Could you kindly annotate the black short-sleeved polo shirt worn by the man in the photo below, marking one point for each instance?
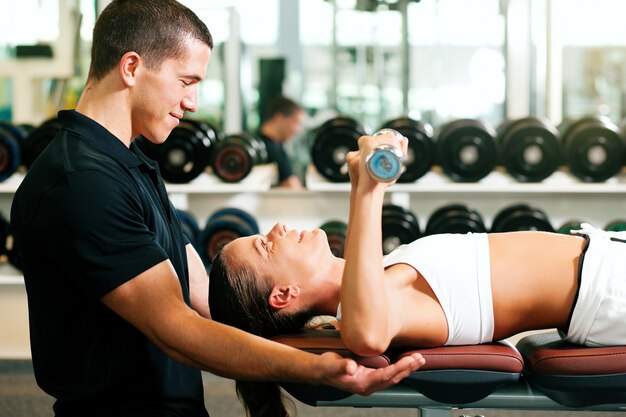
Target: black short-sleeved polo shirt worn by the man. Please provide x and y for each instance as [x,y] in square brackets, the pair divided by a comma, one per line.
[90,215]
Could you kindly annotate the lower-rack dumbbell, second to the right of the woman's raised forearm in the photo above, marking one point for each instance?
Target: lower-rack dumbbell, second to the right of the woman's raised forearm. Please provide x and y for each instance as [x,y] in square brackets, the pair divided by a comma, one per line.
[455,218]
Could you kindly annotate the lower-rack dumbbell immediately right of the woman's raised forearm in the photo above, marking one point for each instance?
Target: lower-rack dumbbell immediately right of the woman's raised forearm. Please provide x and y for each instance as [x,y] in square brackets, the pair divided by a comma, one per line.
[399,226]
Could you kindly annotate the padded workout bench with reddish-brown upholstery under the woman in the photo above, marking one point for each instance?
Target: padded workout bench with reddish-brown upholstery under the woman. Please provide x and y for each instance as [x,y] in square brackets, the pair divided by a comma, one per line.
[540,372]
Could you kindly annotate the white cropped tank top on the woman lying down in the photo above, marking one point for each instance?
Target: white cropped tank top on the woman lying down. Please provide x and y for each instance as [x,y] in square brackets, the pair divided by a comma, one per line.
[456,266]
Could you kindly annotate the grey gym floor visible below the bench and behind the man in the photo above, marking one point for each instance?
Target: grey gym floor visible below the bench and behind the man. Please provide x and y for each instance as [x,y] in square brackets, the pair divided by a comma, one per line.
[21,397]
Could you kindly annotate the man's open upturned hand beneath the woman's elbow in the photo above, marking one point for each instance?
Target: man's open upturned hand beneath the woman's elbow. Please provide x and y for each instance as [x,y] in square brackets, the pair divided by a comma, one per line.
[347,375]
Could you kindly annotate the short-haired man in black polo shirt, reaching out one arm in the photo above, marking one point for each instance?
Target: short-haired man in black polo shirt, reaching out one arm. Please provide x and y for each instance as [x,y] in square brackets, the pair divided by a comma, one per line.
[117,296]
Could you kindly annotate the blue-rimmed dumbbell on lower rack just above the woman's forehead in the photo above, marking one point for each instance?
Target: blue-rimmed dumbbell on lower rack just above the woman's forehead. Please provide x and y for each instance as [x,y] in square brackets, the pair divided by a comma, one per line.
[222,227]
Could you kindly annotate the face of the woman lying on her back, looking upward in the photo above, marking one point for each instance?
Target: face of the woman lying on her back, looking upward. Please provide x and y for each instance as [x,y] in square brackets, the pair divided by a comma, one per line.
[284,255]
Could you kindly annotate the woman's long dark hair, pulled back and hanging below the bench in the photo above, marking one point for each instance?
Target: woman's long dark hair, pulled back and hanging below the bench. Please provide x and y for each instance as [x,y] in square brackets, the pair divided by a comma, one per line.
[237,297]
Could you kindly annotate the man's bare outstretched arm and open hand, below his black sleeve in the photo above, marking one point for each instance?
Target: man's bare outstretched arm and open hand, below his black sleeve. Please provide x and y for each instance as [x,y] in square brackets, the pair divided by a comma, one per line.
[152,302]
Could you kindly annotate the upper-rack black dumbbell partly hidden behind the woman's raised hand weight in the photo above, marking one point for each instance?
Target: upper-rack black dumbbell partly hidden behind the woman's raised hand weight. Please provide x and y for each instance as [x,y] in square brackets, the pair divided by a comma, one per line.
[421,150]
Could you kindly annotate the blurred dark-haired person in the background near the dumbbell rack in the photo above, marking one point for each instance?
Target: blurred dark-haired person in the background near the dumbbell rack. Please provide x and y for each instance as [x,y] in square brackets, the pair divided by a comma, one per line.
[282,122]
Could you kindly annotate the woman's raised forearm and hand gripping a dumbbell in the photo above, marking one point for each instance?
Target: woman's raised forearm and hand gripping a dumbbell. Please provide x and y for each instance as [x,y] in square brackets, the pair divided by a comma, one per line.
[365,314]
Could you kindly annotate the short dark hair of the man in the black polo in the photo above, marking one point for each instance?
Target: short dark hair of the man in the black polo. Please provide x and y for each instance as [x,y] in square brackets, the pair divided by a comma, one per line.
[155,29]
